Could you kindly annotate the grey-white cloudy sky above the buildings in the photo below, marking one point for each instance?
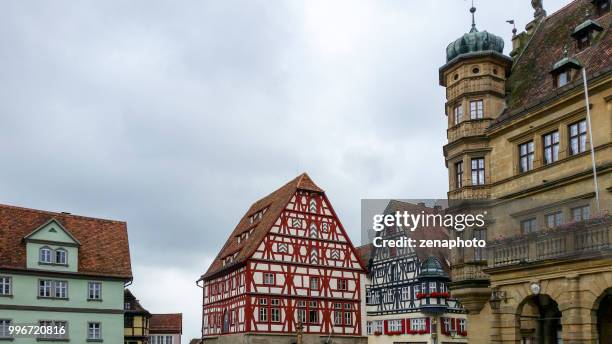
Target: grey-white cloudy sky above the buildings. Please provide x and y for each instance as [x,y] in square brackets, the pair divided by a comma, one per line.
[175,116]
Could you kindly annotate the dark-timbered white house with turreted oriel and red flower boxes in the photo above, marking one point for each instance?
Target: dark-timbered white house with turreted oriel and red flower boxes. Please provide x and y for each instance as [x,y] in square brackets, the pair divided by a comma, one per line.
[407,294]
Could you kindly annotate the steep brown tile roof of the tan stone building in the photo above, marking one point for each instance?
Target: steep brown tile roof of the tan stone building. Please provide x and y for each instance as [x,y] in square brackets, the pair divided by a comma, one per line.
[531,83]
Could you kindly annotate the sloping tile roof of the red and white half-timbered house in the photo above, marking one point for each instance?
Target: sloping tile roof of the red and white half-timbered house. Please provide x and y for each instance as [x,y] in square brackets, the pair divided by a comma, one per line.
[274,203]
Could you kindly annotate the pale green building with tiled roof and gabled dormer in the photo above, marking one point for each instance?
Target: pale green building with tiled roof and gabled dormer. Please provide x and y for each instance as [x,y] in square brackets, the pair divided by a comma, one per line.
[63,272]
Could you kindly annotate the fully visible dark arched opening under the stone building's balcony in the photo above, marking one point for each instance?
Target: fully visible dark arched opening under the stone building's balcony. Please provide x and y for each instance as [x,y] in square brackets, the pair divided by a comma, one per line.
[539,320]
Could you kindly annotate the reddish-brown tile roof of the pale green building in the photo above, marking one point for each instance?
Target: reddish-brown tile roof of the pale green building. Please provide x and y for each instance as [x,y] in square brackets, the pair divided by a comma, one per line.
[103,250]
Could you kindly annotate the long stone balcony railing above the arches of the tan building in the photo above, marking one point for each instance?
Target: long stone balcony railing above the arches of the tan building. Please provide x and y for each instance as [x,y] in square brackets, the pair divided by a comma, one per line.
[572,241]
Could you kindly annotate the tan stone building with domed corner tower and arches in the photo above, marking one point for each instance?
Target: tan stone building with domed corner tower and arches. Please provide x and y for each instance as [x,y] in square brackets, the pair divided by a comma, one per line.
[519,147]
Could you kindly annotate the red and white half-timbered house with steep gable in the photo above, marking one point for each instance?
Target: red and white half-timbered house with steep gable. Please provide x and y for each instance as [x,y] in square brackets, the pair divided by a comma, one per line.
[288,261]
